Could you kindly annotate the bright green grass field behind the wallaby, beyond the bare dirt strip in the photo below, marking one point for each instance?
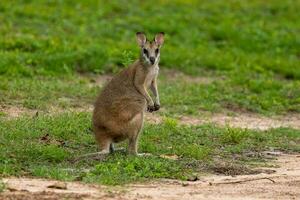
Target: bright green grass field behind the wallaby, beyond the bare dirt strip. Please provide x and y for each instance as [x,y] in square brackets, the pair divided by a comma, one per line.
[251,47]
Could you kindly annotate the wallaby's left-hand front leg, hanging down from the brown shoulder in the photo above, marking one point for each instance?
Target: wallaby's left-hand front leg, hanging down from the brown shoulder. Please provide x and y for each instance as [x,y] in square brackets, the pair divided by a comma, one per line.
[139,83]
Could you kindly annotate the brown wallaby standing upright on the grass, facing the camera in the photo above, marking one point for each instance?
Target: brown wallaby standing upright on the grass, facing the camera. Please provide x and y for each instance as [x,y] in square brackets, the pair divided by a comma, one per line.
[119,109]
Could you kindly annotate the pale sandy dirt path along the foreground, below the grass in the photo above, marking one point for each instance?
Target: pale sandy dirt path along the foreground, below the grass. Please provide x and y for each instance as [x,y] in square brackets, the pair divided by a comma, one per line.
[282,184]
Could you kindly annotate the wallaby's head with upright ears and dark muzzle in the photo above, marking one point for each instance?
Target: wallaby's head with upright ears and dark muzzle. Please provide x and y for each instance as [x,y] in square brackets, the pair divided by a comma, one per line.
[150,50]
